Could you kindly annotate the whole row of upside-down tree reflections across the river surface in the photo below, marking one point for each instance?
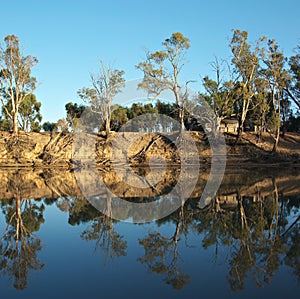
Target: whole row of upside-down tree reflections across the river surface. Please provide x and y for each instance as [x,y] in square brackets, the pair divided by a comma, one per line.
[258,231]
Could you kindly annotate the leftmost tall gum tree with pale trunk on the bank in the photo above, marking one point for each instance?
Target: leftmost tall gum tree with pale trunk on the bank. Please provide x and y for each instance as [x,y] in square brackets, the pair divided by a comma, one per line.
[16,81]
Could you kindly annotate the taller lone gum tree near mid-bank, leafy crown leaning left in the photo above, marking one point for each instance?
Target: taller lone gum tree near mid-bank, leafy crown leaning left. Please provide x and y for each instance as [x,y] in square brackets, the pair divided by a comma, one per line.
[162,68]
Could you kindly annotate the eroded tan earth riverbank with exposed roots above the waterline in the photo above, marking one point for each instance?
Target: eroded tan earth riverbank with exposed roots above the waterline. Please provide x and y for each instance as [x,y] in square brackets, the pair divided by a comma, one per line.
[42,150]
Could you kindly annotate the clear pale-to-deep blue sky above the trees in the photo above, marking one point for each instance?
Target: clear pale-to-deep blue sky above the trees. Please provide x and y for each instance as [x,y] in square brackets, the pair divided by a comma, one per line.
[70,37]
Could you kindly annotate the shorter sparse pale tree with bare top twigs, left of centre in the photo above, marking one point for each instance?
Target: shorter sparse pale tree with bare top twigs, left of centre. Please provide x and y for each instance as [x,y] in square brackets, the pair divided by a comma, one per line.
[105,86]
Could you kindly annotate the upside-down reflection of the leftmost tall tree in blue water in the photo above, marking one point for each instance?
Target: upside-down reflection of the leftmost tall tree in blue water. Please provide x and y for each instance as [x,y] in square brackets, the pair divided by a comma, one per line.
[18,246]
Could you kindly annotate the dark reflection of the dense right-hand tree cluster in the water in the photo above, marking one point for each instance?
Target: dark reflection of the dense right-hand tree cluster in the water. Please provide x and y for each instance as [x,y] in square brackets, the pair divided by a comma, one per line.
[256,233]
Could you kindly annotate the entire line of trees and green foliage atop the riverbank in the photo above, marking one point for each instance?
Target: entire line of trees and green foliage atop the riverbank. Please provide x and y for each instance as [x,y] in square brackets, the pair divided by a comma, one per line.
[251,91]
